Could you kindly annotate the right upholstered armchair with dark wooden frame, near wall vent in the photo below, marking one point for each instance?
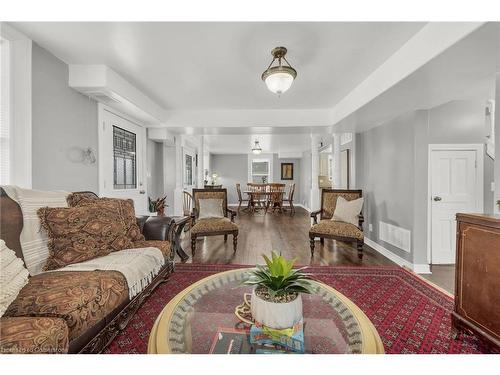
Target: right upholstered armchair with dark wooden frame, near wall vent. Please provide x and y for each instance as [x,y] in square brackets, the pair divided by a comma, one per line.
[337,230]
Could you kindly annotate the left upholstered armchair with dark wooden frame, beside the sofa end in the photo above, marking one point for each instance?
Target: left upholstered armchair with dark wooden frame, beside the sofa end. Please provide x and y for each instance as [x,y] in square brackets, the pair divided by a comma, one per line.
[213,226]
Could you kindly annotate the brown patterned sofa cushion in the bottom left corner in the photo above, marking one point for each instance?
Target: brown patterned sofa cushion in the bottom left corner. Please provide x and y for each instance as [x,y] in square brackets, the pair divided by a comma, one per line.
[36,335]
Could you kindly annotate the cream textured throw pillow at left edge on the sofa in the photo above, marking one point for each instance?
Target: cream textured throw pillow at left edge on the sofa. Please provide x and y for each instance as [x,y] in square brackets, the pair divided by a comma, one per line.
[13,276]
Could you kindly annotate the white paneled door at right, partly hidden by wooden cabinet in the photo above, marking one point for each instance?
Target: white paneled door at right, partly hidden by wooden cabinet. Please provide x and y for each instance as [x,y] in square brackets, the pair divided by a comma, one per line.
[454,187]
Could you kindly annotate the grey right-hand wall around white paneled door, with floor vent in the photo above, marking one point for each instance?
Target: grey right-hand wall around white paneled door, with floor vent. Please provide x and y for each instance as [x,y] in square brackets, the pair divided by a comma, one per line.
[392,167]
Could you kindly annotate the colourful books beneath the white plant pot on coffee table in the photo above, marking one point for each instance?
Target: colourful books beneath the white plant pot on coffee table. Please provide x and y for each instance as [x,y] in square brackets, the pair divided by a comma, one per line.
[269,340]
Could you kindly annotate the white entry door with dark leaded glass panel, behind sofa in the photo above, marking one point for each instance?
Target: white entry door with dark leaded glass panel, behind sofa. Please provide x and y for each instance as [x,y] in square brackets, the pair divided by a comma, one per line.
[122,146]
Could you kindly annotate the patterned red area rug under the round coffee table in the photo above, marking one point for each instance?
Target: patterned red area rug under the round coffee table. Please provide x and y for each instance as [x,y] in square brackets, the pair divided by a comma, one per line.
[410,315]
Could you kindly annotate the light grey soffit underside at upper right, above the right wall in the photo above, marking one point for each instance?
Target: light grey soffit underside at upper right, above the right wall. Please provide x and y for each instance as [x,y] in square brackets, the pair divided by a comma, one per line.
[464,71]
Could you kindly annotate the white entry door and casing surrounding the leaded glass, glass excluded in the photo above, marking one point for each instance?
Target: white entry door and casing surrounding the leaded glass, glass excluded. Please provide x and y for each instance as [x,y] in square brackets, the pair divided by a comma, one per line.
[108,120]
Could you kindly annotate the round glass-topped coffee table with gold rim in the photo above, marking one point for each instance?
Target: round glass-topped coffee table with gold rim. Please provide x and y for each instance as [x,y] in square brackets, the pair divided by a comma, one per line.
[192,320]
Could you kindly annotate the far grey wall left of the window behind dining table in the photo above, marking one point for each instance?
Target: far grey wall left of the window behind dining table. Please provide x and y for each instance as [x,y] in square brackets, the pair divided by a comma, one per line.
[231,169]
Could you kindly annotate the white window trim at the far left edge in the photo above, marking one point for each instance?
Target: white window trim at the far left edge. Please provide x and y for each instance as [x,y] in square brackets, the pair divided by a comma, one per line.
[20,92]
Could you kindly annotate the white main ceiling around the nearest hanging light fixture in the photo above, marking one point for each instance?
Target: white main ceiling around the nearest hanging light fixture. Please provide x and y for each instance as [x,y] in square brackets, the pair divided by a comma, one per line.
[217,65]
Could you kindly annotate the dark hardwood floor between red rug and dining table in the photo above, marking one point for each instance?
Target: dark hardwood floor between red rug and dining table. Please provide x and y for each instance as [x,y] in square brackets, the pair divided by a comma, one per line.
[260,233]
